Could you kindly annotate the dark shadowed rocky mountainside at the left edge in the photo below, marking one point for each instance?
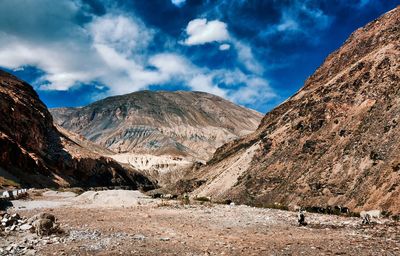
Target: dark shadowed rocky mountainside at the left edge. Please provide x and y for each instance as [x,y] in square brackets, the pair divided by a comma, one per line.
[35,153]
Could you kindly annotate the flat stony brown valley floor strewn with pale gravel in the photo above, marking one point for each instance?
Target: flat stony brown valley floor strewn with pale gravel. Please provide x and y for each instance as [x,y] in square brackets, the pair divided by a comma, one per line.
[156,227]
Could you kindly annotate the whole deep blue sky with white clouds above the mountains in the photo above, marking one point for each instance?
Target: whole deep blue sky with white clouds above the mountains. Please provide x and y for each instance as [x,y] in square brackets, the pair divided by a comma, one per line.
[254,53]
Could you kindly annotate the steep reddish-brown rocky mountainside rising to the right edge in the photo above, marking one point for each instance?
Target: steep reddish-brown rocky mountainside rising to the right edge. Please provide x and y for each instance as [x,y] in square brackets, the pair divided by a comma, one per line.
[335,142]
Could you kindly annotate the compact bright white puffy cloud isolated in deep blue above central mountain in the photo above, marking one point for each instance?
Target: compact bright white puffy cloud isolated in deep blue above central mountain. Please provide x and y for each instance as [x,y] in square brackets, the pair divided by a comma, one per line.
[201,31]
